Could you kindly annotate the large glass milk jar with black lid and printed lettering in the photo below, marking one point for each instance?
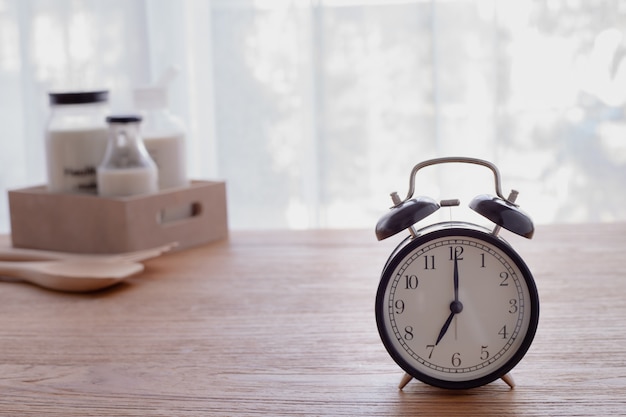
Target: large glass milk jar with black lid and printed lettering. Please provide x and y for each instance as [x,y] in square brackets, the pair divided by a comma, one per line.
[76,140]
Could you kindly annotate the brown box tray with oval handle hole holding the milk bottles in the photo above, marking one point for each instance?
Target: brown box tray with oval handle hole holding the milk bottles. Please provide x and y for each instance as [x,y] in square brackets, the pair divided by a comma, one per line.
[84,223]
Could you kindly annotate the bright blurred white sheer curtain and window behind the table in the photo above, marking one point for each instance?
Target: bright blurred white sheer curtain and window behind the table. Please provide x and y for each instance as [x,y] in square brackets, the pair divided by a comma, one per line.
[314,111]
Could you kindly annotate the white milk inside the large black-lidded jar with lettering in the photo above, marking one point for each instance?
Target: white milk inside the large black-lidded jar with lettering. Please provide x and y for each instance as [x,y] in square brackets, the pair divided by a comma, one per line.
[72,158]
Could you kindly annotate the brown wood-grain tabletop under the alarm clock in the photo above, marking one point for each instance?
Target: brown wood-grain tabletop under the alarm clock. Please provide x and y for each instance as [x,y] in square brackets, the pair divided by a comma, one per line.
[282,323]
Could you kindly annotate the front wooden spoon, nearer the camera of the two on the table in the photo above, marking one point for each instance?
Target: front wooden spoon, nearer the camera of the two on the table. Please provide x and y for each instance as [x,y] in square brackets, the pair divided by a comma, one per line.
[71,275]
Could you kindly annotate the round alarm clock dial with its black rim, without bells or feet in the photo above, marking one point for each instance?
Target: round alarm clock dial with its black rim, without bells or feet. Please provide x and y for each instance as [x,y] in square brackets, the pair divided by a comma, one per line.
[457,307]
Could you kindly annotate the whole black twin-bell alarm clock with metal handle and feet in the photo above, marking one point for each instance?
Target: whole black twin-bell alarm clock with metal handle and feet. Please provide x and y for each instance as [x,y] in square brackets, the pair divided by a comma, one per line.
[456,307]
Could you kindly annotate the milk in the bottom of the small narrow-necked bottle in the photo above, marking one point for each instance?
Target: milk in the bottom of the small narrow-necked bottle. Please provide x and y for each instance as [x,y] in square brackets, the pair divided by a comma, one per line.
[127,181]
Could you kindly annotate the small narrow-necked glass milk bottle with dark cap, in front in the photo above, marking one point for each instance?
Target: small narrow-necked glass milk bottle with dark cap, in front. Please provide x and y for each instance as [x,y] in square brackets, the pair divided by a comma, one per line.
[127,168]
